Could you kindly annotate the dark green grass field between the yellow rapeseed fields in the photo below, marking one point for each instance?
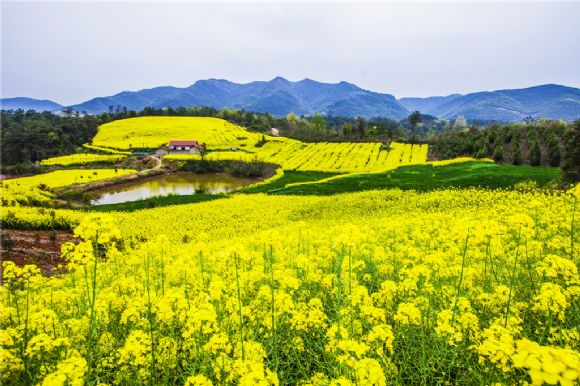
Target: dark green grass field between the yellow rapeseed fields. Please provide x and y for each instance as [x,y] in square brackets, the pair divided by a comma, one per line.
[424,178]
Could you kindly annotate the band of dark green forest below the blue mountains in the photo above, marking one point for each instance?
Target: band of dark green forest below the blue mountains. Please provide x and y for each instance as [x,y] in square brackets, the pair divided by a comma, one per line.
[30,136]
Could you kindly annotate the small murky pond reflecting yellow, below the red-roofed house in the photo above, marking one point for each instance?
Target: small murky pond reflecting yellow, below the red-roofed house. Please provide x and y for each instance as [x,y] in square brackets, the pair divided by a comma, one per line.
[181,184]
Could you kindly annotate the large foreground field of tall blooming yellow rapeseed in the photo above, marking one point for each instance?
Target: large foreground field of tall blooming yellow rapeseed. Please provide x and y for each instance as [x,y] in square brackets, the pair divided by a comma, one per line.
[374,288]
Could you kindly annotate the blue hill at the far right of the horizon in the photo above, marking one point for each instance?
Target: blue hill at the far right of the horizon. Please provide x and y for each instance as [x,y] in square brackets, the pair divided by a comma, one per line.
[546,101]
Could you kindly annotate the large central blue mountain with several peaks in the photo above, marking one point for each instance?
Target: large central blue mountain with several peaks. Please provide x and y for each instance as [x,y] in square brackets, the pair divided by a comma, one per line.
[277,96]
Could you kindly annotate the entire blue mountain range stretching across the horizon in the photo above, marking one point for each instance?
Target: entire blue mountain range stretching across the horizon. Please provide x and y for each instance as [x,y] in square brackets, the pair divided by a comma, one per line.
[306,97]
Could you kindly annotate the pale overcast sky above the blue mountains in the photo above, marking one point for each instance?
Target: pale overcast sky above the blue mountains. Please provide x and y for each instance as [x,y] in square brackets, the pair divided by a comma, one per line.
[72,51]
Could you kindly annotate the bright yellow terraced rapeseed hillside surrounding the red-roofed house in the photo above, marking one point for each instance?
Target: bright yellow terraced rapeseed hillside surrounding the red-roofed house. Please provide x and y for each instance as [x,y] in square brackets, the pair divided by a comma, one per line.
[221,137]
